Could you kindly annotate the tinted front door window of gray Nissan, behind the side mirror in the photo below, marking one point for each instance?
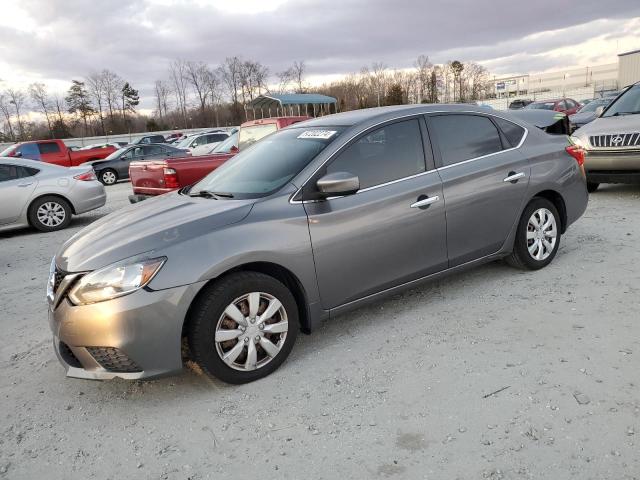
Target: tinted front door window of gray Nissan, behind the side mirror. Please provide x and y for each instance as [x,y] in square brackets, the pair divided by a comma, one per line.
[389,153]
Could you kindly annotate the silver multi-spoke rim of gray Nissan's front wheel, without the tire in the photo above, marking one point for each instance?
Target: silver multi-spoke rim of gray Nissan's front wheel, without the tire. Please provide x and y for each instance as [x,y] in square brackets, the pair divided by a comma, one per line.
[251,331]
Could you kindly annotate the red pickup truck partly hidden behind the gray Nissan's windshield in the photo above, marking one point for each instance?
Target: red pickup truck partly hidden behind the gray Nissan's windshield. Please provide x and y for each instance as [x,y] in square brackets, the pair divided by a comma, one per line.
[149,178]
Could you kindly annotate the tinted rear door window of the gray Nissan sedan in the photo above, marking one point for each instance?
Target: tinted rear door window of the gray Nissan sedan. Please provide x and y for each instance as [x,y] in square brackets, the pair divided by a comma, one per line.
[463,137]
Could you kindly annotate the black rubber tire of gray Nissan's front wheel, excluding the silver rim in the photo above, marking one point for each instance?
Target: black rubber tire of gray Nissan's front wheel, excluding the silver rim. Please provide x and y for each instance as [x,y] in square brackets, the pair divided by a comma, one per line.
[210,305]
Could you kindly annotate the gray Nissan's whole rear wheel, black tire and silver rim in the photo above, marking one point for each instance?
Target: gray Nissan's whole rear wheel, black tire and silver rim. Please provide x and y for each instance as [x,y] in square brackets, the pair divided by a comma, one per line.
[529,237]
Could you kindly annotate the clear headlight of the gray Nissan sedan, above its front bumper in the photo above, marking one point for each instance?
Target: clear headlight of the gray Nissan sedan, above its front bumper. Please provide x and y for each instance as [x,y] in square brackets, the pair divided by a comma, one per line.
[115,280]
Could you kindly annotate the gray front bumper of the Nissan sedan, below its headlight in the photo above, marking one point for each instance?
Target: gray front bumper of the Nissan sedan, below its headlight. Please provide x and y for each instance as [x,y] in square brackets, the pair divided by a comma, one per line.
[132,337]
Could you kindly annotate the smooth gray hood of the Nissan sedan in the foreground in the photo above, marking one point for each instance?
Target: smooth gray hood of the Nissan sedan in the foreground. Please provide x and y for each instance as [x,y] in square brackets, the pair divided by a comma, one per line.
[147,228]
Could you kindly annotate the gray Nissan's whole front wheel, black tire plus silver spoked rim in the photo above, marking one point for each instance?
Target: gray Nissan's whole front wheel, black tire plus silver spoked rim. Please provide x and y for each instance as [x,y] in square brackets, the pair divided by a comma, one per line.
[212,334]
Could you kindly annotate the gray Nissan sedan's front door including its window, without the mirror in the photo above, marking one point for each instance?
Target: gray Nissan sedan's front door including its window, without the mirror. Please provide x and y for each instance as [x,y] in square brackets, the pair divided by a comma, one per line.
[385,234]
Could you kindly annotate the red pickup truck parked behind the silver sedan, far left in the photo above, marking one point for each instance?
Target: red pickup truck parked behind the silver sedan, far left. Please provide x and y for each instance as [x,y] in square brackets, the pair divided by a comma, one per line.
[56,152]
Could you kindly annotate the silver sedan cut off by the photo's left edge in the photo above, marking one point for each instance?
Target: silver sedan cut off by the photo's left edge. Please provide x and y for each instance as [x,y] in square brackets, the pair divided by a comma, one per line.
[45,196]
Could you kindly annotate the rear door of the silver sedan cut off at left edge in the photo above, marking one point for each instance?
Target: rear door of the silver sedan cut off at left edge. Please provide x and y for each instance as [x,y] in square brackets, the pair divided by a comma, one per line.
[17,184]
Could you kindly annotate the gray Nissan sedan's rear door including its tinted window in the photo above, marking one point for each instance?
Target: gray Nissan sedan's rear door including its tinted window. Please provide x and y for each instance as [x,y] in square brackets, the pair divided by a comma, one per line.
[484,178]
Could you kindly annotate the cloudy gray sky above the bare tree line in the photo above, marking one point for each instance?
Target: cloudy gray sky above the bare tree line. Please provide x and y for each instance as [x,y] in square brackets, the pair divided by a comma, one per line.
[57,40]
